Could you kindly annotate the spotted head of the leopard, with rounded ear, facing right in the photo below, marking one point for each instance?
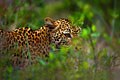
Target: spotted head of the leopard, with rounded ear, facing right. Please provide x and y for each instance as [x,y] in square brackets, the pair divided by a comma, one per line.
[61,30]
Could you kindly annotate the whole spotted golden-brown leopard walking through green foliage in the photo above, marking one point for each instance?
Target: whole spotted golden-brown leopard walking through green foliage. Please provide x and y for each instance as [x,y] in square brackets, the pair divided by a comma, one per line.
[26,45]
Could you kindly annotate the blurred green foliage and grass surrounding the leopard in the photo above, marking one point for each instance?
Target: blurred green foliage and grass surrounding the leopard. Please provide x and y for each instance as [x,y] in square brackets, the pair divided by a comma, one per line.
[94,55]
